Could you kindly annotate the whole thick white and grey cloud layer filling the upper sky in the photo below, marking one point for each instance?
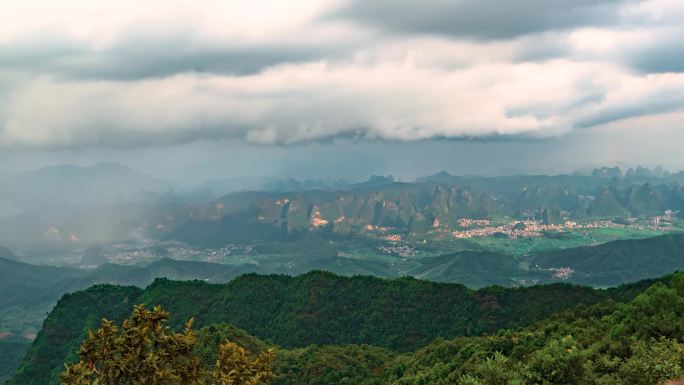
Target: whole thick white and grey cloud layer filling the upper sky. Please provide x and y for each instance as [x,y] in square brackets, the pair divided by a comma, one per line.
[135,73]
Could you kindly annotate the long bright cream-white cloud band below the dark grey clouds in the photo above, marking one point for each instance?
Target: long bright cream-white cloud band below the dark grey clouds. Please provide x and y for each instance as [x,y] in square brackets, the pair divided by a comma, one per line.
[319,101]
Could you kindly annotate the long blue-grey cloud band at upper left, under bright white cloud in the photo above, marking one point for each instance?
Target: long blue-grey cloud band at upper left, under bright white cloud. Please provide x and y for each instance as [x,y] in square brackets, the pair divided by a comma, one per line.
[144,58]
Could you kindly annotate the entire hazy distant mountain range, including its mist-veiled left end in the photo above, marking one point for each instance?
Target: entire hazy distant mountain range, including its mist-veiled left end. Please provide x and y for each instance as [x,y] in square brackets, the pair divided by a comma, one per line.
[69,207]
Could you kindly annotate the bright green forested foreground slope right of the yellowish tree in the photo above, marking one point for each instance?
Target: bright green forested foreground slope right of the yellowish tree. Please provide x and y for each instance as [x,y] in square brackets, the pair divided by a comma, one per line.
[635,343]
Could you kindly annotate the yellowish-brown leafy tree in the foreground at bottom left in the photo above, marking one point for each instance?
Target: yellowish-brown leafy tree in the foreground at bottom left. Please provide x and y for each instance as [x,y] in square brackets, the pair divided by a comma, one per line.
[144,351]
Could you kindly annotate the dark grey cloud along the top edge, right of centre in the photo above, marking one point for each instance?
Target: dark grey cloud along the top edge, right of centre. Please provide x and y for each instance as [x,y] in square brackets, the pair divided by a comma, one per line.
[481,19]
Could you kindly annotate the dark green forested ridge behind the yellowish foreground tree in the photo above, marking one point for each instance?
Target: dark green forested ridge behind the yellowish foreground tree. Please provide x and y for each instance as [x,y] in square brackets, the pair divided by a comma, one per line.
[308,314]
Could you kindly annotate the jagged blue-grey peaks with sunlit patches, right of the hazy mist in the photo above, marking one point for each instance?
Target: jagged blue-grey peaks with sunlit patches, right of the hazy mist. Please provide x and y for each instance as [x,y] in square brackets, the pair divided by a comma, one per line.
[416,208]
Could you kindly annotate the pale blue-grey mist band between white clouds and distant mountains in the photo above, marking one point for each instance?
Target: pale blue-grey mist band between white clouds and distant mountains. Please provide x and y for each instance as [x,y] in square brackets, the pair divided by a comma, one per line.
[186,165]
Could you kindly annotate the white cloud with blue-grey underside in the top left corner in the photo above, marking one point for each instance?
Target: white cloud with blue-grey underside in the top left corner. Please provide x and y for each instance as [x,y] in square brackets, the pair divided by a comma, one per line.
[136,40]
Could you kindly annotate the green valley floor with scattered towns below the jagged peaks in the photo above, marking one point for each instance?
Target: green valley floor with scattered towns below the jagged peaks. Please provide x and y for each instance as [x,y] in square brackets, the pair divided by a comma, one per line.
[375,256]
